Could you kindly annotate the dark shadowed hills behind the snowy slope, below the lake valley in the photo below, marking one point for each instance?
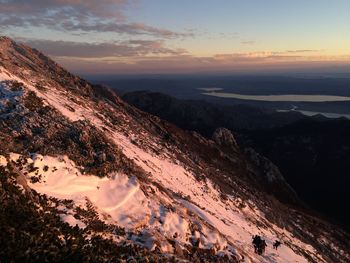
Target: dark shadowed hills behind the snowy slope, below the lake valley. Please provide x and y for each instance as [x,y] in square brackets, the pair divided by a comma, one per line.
[311,152]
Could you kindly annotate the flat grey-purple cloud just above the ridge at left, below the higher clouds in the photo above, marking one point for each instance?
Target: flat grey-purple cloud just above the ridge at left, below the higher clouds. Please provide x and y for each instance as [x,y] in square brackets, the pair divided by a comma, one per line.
[130,48]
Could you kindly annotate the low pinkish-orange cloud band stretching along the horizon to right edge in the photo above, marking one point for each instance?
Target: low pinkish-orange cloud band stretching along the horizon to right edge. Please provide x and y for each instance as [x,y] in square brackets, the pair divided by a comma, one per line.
[221,63]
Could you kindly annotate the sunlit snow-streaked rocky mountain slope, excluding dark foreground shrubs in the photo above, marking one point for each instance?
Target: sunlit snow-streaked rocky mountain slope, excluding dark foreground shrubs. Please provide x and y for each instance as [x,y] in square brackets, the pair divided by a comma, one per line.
[109,166]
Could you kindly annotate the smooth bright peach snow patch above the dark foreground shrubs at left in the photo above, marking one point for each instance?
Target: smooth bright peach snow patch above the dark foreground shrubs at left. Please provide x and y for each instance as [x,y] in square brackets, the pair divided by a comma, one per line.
[118,196]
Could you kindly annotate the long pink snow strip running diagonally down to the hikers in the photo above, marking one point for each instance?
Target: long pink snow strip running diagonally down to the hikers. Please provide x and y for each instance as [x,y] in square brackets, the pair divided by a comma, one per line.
[236,225]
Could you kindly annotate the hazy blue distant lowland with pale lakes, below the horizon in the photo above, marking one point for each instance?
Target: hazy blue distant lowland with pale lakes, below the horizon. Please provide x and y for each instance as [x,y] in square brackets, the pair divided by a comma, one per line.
[328,96]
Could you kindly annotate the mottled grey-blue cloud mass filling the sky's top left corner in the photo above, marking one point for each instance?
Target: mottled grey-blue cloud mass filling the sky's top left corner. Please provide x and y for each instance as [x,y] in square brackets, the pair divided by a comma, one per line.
[77,16]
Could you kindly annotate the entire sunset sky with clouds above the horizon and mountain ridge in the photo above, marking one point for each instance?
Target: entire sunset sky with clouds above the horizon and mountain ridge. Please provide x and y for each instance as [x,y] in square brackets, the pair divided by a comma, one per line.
[107,37]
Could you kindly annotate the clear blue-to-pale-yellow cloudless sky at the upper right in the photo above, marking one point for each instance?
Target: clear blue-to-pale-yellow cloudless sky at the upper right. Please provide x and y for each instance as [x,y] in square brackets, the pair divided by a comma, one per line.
[270,24]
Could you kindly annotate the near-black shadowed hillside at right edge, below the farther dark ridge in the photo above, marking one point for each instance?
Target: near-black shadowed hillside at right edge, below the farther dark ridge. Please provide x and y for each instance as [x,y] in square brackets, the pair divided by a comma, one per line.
[315,161]
